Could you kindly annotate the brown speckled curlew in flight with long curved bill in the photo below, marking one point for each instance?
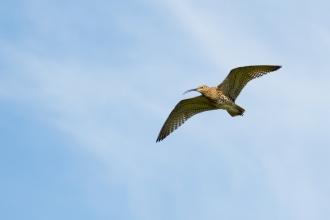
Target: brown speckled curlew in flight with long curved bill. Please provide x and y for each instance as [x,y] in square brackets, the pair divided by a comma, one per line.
[222,96]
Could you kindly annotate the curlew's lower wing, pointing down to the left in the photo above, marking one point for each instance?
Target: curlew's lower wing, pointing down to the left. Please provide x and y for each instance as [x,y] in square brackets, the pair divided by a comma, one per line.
[182,112]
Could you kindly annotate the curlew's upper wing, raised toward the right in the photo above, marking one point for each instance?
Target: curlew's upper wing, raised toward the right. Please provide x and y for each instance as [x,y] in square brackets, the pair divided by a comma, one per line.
[239,77]
